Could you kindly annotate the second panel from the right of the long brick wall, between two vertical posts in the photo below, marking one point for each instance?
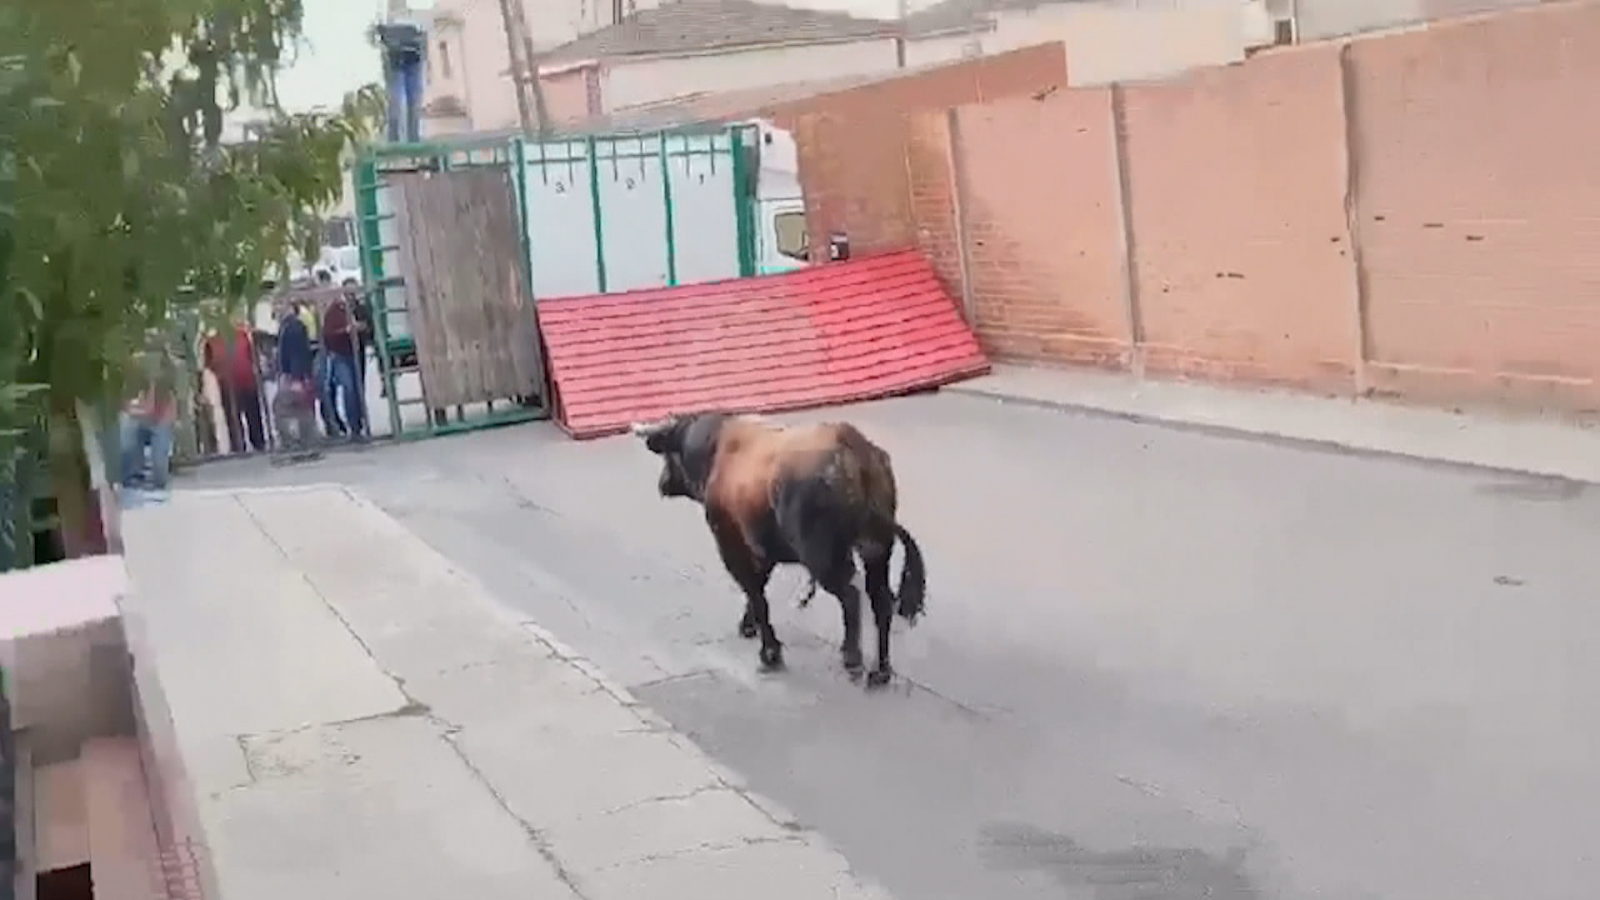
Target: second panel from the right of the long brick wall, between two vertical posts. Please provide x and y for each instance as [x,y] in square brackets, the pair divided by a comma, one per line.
[1241,247]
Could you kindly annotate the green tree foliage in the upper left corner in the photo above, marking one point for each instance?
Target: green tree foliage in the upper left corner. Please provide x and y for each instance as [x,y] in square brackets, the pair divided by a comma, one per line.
[119,195]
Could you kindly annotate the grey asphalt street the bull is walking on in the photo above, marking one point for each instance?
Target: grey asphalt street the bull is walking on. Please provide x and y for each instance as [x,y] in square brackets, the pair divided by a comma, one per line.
[1156,665]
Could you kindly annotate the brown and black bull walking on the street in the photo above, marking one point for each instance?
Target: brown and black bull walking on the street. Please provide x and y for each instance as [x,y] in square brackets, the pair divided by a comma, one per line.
[812,496]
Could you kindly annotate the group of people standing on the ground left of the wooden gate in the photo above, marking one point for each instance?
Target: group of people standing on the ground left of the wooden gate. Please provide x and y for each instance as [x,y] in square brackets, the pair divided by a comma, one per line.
[318,364]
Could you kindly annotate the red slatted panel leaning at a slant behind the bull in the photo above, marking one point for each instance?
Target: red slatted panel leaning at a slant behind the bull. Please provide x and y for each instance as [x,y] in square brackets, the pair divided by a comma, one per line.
[870,327]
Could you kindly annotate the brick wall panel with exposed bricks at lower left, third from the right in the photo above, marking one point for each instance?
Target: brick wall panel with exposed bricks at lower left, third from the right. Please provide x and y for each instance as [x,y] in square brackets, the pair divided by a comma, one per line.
[1044,228]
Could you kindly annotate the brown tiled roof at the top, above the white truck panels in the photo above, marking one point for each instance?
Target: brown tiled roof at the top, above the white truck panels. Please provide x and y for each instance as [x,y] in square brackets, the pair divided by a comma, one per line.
[695,26]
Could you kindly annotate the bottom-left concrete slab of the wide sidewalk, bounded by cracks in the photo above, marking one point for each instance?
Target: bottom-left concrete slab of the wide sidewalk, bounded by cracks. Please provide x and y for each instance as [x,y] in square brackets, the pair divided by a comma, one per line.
[370,810]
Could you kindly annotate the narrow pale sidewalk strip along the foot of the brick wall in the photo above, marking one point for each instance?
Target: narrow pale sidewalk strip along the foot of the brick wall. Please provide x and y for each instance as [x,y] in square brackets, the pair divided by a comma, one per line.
[1542,448]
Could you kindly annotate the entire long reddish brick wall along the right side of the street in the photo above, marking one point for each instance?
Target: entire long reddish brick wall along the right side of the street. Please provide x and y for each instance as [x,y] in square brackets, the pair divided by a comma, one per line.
[1407,214]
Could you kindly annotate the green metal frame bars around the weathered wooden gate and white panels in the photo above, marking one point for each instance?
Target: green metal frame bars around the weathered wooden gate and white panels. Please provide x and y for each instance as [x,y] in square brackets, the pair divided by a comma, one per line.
[514,153]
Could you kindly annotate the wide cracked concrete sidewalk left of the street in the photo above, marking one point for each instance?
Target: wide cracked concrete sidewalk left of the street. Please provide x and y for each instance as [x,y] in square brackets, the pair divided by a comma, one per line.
[359,720]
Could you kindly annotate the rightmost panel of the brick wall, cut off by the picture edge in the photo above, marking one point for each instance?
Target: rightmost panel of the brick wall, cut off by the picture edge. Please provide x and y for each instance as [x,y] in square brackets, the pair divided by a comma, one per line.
[1479,187]
